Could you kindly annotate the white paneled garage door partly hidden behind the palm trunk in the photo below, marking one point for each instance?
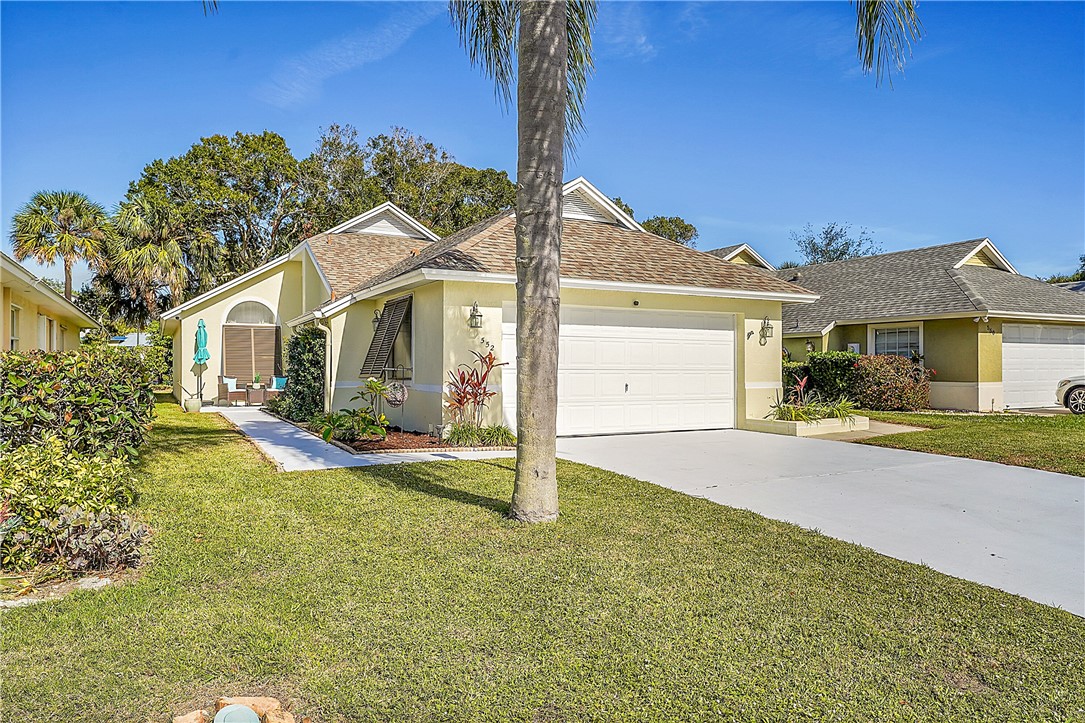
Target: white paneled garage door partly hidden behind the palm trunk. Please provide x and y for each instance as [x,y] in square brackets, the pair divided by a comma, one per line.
[632,371]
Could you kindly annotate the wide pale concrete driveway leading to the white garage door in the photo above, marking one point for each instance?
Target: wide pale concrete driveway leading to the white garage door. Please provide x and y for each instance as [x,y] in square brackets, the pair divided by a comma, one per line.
[1020,530]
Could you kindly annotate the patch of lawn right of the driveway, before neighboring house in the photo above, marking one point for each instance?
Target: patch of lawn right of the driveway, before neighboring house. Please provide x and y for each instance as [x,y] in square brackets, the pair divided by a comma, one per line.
[1053,443]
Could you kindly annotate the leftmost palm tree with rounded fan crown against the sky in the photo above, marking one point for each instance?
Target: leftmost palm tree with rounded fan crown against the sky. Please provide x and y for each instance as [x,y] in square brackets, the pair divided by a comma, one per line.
[63,224]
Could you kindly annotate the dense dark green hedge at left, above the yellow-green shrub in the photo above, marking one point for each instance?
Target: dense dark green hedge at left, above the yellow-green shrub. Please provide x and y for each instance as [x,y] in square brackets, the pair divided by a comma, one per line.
[95,400]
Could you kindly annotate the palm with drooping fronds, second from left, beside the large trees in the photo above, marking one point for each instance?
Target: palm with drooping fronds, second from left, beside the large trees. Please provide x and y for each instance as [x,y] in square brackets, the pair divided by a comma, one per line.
[147,257]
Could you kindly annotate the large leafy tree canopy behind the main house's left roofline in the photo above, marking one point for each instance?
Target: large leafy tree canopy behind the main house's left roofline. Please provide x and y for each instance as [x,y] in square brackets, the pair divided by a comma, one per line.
[237,202]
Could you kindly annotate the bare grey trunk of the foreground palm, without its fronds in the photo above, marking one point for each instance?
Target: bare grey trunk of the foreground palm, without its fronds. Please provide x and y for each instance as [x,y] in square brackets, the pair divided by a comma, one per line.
[541,110]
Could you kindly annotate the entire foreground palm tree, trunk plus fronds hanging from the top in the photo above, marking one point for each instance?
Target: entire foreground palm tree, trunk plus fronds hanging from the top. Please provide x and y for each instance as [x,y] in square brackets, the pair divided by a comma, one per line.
[545,48]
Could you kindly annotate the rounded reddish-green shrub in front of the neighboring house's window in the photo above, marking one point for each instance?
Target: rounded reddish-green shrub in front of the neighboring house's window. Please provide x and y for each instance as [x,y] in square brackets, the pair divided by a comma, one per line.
[891,384]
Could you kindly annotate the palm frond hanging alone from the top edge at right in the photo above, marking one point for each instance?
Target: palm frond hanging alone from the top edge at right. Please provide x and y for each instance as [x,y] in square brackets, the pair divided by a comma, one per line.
[886,31]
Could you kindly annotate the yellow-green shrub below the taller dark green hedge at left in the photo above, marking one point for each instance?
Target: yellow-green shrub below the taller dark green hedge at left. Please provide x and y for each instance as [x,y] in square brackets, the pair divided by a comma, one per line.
[40,481]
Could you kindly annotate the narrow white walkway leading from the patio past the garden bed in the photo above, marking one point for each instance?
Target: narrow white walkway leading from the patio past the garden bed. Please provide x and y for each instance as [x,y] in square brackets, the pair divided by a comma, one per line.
[297,451]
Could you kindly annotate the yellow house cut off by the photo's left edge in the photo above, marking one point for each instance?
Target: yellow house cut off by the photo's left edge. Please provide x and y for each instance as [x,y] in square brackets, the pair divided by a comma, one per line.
[33,315]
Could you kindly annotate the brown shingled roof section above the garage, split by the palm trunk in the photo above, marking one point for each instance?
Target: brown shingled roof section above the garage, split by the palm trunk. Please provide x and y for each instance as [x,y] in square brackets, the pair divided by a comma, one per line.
[591,251]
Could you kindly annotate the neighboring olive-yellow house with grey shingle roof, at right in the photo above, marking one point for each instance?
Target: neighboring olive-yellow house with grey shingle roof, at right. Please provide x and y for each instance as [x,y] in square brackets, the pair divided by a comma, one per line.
[997,339]
